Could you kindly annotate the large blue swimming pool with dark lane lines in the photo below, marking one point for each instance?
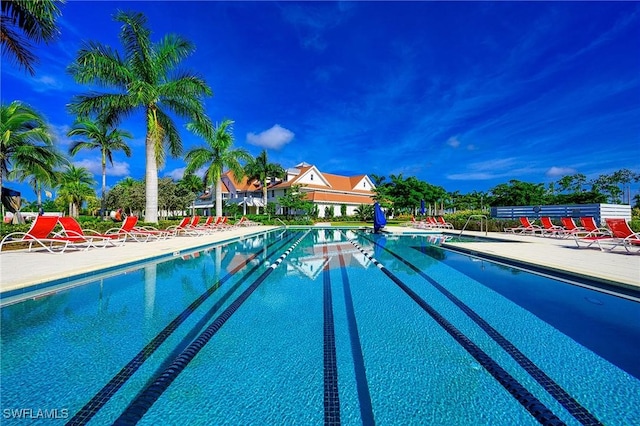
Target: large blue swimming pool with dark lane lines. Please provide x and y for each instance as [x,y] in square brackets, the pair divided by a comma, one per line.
[328,326]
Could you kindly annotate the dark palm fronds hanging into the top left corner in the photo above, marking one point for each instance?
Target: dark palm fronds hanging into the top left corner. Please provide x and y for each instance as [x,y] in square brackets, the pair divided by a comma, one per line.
[24,21]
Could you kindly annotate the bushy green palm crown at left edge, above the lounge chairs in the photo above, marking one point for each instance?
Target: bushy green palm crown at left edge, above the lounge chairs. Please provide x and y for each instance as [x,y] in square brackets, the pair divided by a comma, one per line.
[26,145]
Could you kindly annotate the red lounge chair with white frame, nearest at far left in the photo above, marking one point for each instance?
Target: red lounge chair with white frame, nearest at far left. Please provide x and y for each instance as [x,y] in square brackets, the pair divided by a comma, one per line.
[41,233]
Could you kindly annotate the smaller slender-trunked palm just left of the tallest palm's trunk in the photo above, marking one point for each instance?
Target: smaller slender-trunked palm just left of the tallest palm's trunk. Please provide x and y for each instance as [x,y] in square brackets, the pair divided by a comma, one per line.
[99,136]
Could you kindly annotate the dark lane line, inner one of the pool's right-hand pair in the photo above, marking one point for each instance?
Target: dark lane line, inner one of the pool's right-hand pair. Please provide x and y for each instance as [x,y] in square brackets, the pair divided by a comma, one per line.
[532,404]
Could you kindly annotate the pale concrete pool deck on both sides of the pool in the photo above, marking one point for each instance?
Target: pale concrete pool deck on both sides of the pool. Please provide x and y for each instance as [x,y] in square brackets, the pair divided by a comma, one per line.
[21,269]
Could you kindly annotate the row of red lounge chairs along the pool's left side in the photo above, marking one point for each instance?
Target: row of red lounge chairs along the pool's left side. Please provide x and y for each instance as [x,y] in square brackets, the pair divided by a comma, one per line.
[72,236]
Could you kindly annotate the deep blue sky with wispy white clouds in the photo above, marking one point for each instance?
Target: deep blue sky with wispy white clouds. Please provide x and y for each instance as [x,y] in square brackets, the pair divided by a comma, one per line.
[464,95]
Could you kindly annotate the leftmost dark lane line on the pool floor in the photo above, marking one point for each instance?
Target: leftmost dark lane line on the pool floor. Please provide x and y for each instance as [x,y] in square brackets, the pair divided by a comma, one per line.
[104,395]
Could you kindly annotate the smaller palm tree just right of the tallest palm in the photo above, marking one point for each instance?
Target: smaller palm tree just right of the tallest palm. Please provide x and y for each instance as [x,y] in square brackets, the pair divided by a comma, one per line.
[216,156]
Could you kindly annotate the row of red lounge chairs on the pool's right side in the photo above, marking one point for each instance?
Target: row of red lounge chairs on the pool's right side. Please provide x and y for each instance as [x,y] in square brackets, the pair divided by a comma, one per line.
[589,234]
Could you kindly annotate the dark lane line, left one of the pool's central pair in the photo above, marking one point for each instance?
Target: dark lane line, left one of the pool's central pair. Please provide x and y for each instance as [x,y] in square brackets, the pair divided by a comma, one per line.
[331,396]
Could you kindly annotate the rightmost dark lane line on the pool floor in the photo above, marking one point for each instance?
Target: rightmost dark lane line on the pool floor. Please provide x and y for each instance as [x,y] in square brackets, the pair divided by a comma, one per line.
[554,389]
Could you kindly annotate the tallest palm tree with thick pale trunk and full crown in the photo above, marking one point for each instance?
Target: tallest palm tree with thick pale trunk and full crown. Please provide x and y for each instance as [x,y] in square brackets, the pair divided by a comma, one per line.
[145,79]
